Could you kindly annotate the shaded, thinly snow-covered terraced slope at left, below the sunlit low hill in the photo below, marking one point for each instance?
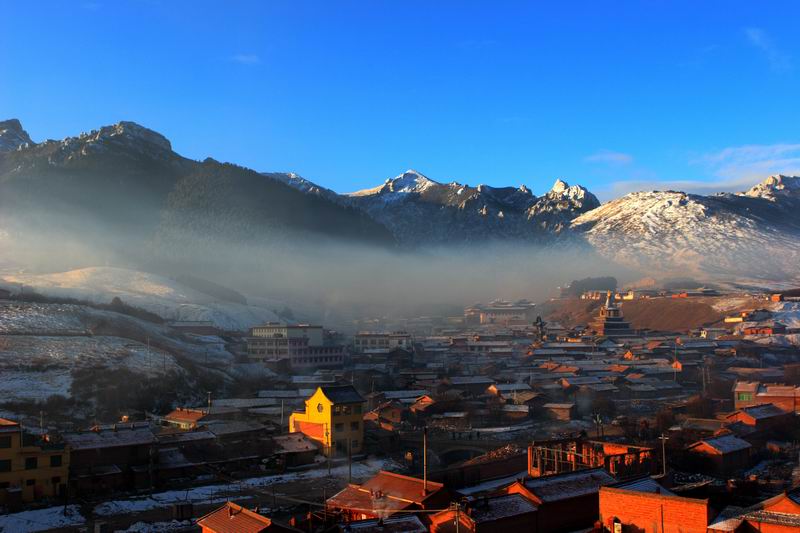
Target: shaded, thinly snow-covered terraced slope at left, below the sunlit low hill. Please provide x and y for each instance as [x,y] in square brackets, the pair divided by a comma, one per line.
[42,344]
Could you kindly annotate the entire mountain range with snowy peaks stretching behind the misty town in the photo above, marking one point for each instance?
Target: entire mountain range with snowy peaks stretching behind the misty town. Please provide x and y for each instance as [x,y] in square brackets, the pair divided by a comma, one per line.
[126,180]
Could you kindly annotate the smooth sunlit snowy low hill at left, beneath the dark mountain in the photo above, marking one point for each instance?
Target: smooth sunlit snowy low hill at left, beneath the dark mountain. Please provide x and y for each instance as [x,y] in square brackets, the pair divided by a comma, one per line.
[167,298]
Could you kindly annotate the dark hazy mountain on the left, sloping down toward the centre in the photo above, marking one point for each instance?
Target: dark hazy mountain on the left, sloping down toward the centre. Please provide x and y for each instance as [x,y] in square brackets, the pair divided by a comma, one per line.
[123,188]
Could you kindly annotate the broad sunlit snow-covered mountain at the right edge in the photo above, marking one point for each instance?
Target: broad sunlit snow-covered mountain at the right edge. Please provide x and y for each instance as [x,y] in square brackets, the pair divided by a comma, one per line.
[720,236]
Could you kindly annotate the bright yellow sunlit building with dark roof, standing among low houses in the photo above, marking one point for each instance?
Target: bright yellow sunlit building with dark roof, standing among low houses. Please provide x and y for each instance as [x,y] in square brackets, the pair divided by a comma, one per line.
[333,417]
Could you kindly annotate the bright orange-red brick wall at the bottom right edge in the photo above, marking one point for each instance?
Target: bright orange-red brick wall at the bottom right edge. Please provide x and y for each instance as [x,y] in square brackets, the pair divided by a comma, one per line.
[641,512]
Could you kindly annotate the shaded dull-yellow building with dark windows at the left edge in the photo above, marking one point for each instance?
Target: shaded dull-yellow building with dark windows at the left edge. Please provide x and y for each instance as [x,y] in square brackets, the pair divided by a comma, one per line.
[31,468]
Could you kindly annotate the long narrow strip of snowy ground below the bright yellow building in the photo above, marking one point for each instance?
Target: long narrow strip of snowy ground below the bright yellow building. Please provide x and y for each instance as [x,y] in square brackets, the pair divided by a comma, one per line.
[221,493]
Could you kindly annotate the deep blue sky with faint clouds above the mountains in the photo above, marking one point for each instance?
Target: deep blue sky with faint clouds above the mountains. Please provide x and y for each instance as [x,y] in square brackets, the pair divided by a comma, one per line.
[616,96]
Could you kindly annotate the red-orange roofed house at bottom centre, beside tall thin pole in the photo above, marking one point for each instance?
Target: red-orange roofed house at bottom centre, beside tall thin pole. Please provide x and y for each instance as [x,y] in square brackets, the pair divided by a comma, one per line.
[385,494]
